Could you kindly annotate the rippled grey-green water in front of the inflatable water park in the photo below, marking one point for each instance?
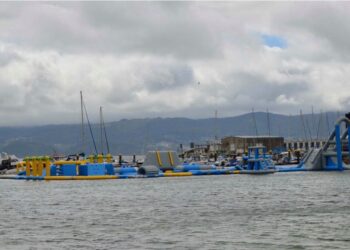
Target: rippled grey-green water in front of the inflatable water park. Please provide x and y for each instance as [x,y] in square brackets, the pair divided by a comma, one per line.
[280,211]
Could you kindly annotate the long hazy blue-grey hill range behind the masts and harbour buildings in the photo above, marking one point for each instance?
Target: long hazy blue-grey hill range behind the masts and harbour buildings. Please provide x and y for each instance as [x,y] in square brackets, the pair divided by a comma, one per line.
[136,136]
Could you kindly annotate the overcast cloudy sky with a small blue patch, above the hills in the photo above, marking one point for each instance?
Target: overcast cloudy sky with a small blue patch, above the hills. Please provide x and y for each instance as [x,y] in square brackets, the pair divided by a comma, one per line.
[171,59]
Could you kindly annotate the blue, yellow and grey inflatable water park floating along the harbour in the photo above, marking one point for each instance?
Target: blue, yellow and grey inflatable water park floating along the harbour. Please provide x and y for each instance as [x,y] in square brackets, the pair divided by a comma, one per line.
[330,157]
